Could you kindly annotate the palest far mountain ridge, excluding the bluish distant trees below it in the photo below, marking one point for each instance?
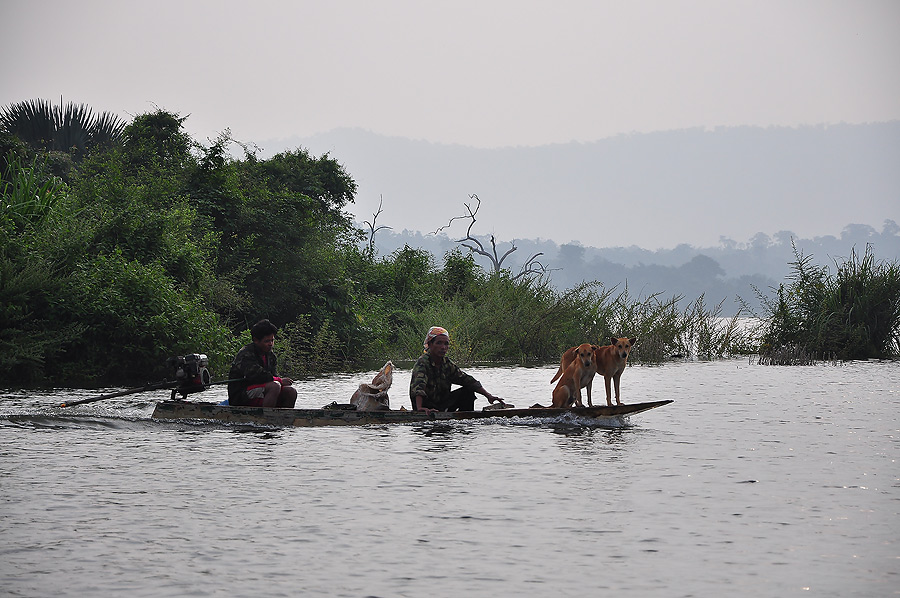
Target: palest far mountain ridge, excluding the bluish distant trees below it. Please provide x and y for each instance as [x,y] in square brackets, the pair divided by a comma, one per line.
[650,190]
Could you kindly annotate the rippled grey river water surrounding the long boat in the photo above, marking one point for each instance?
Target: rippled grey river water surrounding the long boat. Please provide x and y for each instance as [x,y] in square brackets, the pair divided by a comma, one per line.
[756,481]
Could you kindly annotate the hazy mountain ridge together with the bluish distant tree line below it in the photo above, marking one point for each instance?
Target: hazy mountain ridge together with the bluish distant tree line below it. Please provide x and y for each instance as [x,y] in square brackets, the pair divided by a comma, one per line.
[603,203]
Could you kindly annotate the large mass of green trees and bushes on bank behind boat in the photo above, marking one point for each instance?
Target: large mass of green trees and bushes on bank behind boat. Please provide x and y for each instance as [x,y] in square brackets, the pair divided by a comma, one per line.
[139,243]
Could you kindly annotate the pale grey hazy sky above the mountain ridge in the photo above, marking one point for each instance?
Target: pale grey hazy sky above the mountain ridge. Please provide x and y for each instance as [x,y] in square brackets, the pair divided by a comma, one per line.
[484,74]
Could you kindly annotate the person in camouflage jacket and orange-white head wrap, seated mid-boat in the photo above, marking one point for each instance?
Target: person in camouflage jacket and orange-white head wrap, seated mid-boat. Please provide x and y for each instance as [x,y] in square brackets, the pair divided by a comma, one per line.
[432,375]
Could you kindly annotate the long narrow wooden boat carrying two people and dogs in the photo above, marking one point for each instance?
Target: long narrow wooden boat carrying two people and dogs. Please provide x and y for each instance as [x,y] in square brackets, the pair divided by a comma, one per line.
[186,410]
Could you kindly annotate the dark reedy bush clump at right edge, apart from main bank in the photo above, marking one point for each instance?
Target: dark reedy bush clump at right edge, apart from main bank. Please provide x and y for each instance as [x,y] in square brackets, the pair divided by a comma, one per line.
[853,313]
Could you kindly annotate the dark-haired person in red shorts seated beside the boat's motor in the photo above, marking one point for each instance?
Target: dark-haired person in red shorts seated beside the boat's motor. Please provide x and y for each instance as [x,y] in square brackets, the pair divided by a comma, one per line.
[253,373]
